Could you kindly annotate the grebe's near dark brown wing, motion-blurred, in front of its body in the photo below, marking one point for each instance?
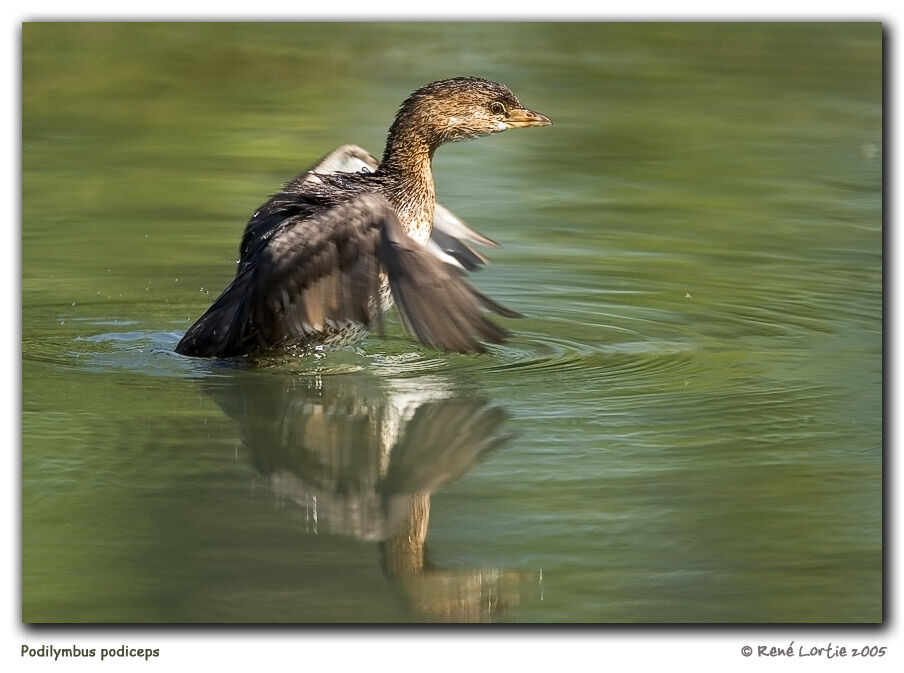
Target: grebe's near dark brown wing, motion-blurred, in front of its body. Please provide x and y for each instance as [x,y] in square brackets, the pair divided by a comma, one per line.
[313,275]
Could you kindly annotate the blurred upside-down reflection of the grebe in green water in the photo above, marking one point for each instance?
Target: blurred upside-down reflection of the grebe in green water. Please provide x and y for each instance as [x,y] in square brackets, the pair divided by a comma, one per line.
[362,456]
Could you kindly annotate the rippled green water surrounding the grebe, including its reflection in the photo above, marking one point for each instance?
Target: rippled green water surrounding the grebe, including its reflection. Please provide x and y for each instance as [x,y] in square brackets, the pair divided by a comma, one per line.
[685,427]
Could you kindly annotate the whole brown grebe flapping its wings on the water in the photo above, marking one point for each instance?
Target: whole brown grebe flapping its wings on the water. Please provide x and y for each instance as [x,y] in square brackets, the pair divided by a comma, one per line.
[322,259]
